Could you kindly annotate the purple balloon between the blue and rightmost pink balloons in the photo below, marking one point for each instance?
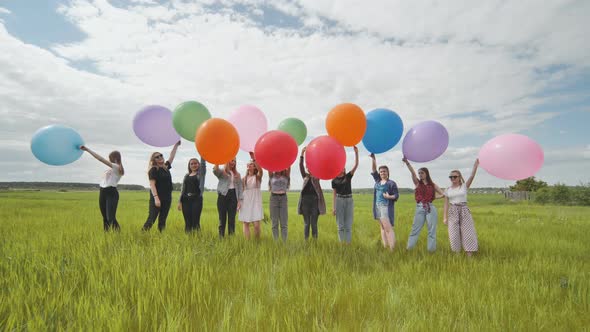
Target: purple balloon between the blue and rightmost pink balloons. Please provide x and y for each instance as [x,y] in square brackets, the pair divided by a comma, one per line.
[426,141]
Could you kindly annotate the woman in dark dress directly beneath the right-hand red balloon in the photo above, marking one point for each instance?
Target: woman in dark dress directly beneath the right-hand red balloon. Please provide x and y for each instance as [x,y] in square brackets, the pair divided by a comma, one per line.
[311,202]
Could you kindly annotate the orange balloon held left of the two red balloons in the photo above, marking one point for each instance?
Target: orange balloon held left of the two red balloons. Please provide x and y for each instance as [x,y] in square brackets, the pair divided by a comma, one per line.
[217,141]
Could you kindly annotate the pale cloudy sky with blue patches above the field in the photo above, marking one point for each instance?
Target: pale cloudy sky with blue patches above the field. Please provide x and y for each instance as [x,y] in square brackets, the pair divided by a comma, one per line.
[481,68]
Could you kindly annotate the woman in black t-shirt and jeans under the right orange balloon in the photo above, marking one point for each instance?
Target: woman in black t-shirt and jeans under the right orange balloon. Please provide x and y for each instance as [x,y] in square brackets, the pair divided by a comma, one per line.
[342,200]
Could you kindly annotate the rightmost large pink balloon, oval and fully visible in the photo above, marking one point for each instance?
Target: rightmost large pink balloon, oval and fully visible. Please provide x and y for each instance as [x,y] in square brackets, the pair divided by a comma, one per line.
[511,157]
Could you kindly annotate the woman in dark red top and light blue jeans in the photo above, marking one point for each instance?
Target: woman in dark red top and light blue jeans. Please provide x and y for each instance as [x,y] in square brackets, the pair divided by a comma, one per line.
[425,193]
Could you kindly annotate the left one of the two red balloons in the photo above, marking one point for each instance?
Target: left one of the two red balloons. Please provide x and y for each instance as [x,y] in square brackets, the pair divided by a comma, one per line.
[275,150]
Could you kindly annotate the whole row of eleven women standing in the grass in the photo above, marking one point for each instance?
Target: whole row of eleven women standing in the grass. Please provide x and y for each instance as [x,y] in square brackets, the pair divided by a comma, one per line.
[237,194]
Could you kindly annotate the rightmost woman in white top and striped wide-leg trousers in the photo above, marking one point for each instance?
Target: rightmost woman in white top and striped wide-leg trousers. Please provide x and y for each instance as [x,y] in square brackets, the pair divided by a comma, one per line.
[457,214]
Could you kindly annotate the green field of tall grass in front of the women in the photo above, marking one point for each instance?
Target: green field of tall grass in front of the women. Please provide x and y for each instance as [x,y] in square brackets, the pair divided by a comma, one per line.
[60,271]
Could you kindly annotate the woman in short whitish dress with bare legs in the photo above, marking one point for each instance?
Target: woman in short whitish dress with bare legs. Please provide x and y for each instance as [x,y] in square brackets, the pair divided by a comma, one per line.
[251,207]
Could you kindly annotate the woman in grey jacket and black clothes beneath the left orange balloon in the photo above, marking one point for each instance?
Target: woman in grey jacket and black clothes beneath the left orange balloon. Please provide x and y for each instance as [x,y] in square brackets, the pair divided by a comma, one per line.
[229,196]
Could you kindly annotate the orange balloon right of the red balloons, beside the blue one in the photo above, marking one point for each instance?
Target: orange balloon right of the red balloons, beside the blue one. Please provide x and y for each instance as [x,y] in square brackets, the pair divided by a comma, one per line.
[347,124]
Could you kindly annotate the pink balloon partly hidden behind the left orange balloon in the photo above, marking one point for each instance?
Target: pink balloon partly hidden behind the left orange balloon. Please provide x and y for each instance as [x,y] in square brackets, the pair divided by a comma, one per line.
[250,123]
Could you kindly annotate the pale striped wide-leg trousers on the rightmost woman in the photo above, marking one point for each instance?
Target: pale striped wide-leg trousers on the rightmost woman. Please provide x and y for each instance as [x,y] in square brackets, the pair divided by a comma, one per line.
[461,228]
